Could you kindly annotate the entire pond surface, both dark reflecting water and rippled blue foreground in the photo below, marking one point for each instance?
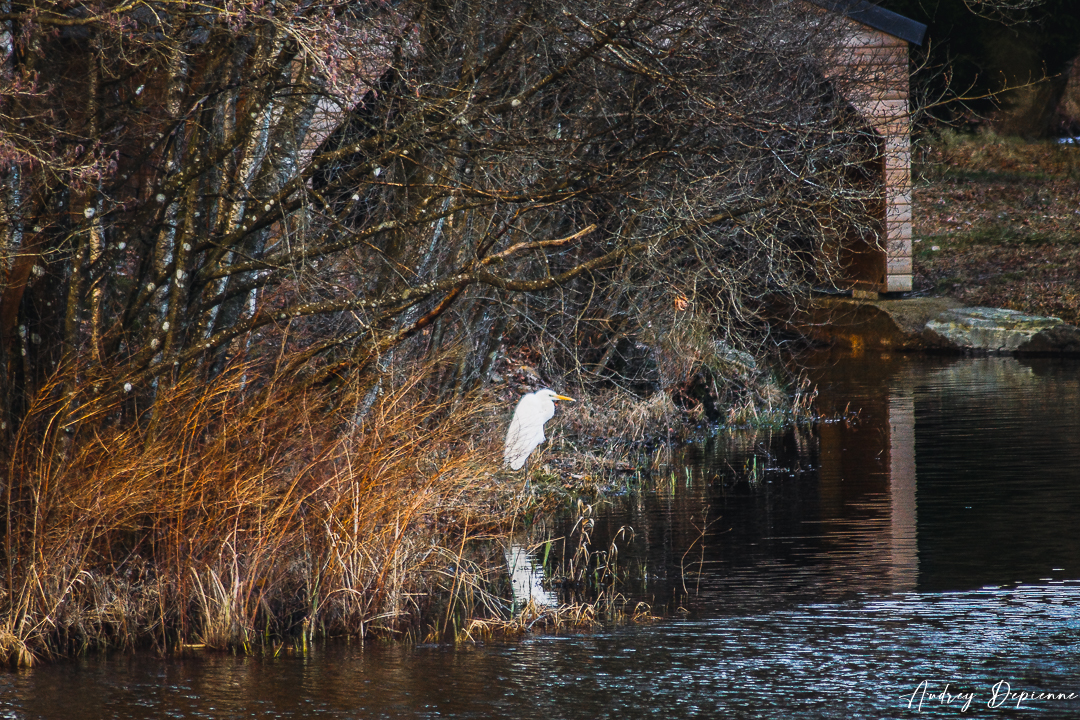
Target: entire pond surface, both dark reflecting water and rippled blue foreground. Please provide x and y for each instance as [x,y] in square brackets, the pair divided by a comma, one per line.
[924,551]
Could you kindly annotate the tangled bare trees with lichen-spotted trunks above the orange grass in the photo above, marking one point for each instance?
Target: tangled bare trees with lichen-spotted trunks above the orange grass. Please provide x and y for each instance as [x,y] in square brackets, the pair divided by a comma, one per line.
[334,189]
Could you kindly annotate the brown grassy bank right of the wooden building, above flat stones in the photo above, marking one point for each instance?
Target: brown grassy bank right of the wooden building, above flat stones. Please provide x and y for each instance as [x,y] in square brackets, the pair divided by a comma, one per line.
[997,223]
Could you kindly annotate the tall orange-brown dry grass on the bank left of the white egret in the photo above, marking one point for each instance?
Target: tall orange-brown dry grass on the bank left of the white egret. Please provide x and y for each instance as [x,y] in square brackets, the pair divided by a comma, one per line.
[229,519]
